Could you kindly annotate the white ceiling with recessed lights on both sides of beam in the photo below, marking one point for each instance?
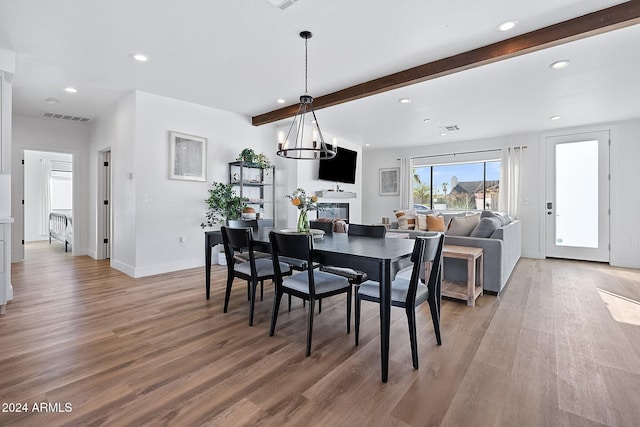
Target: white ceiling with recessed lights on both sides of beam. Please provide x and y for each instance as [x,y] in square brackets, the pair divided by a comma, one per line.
[241,55]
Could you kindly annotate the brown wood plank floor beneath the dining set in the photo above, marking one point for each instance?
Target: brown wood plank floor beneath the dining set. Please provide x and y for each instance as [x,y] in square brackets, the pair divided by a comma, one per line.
[559,347]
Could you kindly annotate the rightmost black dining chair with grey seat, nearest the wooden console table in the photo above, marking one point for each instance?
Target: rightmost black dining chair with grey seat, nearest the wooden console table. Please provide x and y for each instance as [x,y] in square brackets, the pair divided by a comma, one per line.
[408,294]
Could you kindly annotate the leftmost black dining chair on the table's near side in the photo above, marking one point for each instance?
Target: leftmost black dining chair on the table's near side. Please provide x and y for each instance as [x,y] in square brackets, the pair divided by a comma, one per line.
[254,270]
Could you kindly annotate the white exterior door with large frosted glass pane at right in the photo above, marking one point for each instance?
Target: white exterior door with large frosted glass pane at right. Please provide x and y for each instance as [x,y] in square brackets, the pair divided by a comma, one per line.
[577,196]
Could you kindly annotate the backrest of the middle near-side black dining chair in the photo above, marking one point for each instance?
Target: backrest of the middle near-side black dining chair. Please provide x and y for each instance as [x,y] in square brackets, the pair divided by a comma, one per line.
[292,246]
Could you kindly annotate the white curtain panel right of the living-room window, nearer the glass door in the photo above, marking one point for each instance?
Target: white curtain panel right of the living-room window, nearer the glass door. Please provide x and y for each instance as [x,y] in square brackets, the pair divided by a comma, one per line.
[510,181]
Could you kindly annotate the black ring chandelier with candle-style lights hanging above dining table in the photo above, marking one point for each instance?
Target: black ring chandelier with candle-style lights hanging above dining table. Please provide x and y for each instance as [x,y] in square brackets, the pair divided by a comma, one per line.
[297,144]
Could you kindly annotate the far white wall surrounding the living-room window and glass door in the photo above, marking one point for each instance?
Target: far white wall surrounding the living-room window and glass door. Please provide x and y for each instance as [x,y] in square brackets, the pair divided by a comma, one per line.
[625,151]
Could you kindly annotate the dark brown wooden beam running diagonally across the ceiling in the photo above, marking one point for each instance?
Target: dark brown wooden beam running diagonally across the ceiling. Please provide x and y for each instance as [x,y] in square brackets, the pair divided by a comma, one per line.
[613,18]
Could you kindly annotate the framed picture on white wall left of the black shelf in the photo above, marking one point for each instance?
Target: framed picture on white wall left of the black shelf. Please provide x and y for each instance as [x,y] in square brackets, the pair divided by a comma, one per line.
[187,157]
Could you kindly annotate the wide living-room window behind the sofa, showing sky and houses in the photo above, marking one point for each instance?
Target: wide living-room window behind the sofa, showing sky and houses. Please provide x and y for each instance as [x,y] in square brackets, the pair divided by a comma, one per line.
[457,186]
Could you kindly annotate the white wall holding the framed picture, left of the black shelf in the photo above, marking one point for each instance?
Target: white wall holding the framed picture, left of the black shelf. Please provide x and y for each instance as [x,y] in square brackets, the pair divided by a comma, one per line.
[167,210]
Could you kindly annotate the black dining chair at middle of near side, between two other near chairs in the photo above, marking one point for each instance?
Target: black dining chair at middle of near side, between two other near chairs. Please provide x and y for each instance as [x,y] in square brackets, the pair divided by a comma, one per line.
[310,285]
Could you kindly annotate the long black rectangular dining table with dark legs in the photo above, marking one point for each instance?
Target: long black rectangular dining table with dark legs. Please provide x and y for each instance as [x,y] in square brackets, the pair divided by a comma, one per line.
[379,257]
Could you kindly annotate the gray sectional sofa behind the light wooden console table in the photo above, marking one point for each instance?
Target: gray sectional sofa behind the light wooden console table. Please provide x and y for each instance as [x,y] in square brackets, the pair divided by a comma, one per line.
[501,251]
